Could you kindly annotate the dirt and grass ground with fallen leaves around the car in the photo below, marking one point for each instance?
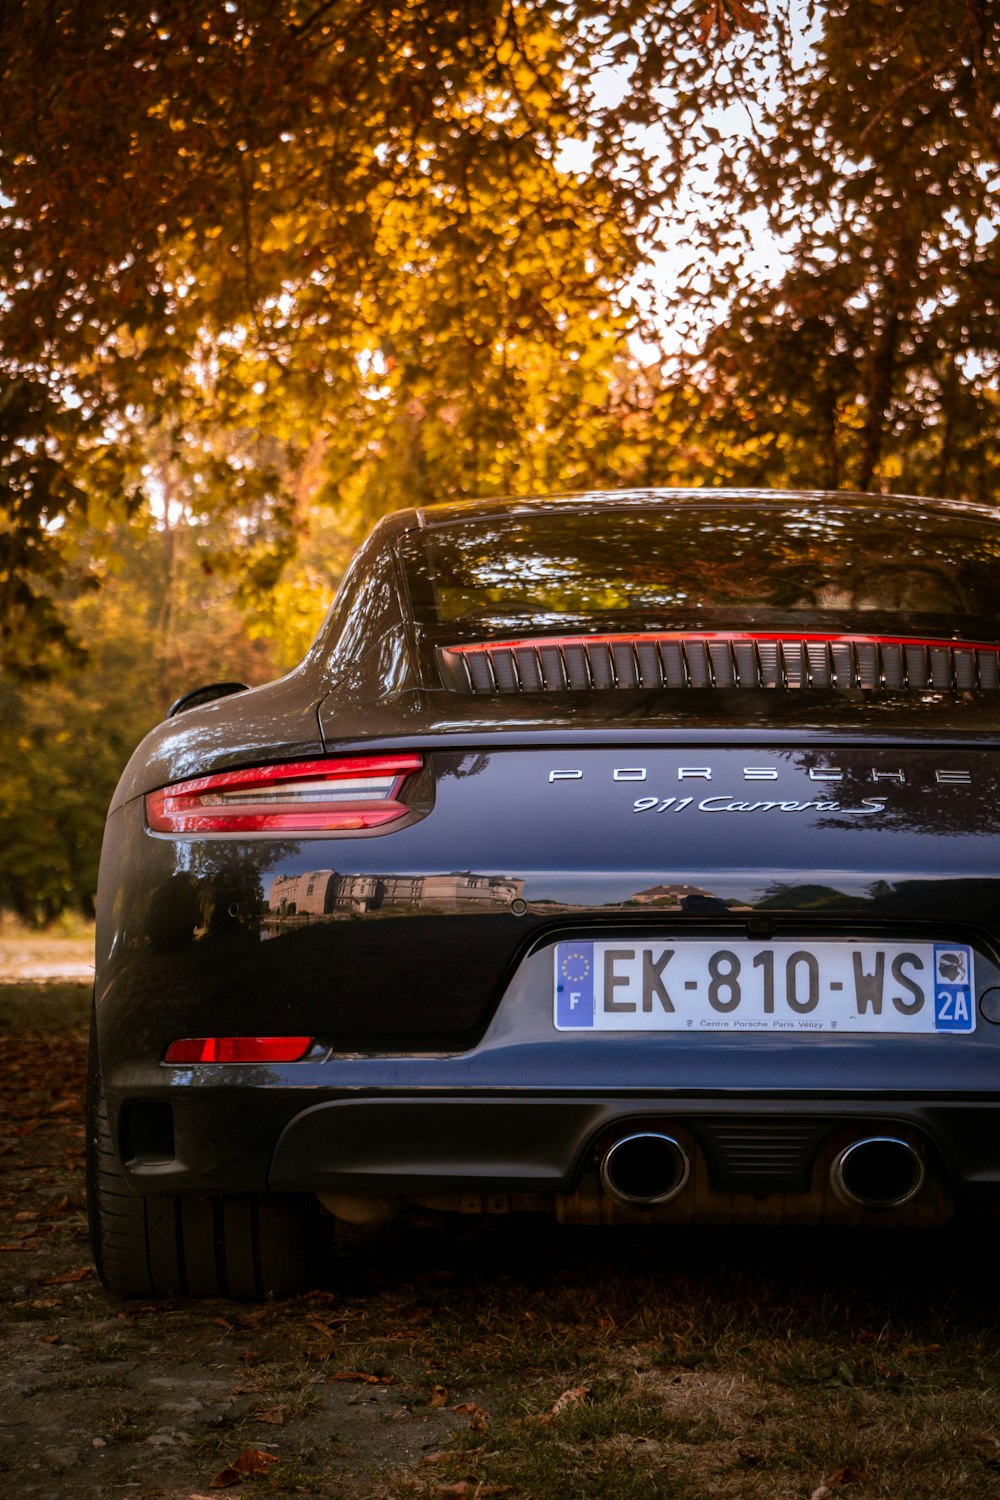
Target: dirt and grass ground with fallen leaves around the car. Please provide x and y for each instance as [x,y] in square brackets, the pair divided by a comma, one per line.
[475,1358]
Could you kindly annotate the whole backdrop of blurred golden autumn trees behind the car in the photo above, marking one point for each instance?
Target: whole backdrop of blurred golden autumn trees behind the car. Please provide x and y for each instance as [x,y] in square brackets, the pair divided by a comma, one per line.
[274,268]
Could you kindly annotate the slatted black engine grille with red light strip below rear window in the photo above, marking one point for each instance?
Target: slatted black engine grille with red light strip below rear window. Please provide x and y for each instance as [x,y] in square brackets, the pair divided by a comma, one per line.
[719,659]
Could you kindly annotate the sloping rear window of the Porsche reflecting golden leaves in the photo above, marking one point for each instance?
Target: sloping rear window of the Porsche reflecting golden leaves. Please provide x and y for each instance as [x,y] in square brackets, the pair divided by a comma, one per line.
[680,565]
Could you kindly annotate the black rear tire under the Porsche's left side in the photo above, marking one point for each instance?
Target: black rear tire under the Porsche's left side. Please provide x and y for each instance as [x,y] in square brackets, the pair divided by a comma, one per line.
[244,1247]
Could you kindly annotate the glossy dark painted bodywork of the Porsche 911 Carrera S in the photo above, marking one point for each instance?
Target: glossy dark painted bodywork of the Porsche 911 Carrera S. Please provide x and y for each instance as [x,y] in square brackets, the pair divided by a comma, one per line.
[437,1066]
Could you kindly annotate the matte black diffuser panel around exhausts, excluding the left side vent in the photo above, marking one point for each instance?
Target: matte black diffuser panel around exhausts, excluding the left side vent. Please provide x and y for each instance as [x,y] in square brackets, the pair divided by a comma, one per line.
[549,1145]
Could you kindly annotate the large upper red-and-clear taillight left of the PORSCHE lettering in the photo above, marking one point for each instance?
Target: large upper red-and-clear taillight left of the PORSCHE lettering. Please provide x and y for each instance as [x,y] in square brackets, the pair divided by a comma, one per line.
[301,797]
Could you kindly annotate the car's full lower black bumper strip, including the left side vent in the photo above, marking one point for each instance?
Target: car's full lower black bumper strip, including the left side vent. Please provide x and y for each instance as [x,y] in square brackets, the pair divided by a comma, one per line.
[229,1141]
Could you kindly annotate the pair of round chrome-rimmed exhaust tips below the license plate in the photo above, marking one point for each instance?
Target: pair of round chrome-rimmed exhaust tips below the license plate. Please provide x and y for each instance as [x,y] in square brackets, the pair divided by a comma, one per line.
[650,1169]
